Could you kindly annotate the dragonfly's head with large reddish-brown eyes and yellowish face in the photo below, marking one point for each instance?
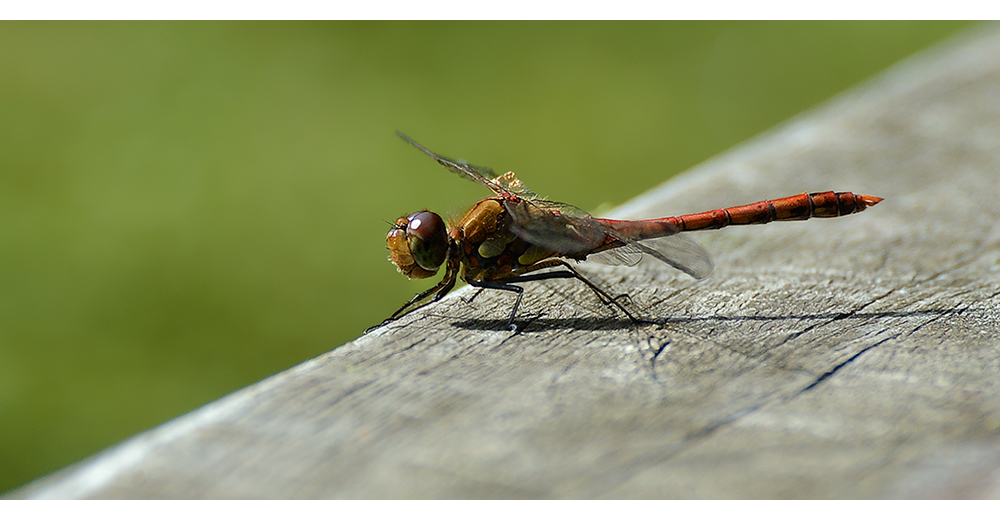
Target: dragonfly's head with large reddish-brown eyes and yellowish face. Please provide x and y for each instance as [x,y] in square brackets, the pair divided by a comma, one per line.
[418,244]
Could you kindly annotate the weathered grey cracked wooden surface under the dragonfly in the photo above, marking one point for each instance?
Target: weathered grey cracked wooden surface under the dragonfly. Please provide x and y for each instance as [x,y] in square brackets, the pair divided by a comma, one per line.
[855,357]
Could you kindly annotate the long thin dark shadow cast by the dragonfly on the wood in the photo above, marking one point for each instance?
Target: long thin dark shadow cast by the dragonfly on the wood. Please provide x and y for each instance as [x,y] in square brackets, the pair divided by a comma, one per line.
[529,324]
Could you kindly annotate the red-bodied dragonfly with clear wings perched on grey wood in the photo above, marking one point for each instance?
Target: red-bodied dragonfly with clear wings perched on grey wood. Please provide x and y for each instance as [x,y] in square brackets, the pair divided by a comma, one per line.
[515,236]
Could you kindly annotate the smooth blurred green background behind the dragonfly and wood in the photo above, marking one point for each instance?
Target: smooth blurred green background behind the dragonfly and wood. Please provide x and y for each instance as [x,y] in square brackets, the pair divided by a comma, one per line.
[186,208]
